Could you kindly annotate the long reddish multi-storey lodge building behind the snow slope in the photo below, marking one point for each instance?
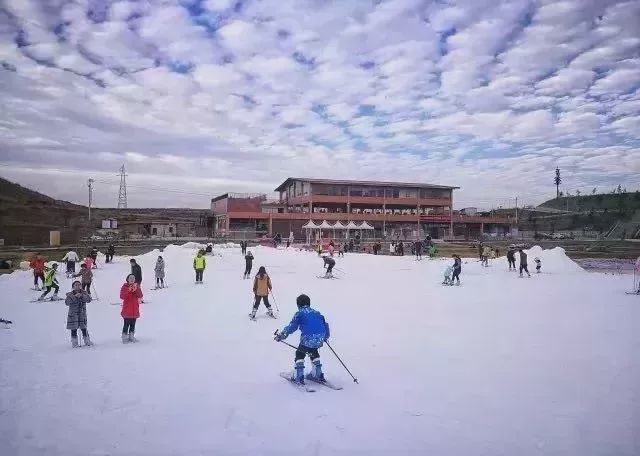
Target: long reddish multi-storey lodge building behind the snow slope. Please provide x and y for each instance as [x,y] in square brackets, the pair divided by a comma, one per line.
[395,208]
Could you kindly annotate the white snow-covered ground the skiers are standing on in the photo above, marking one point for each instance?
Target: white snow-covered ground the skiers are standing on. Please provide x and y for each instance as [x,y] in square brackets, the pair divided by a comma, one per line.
[497,366]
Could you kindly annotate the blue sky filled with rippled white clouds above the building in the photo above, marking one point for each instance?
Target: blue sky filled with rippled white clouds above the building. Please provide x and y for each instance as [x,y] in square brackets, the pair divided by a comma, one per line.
[201,97]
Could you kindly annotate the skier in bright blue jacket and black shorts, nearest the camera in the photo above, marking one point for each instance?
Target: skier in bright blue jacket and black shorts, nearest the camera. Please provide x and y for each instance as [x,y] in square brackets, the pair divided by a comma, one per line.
[314,331]
